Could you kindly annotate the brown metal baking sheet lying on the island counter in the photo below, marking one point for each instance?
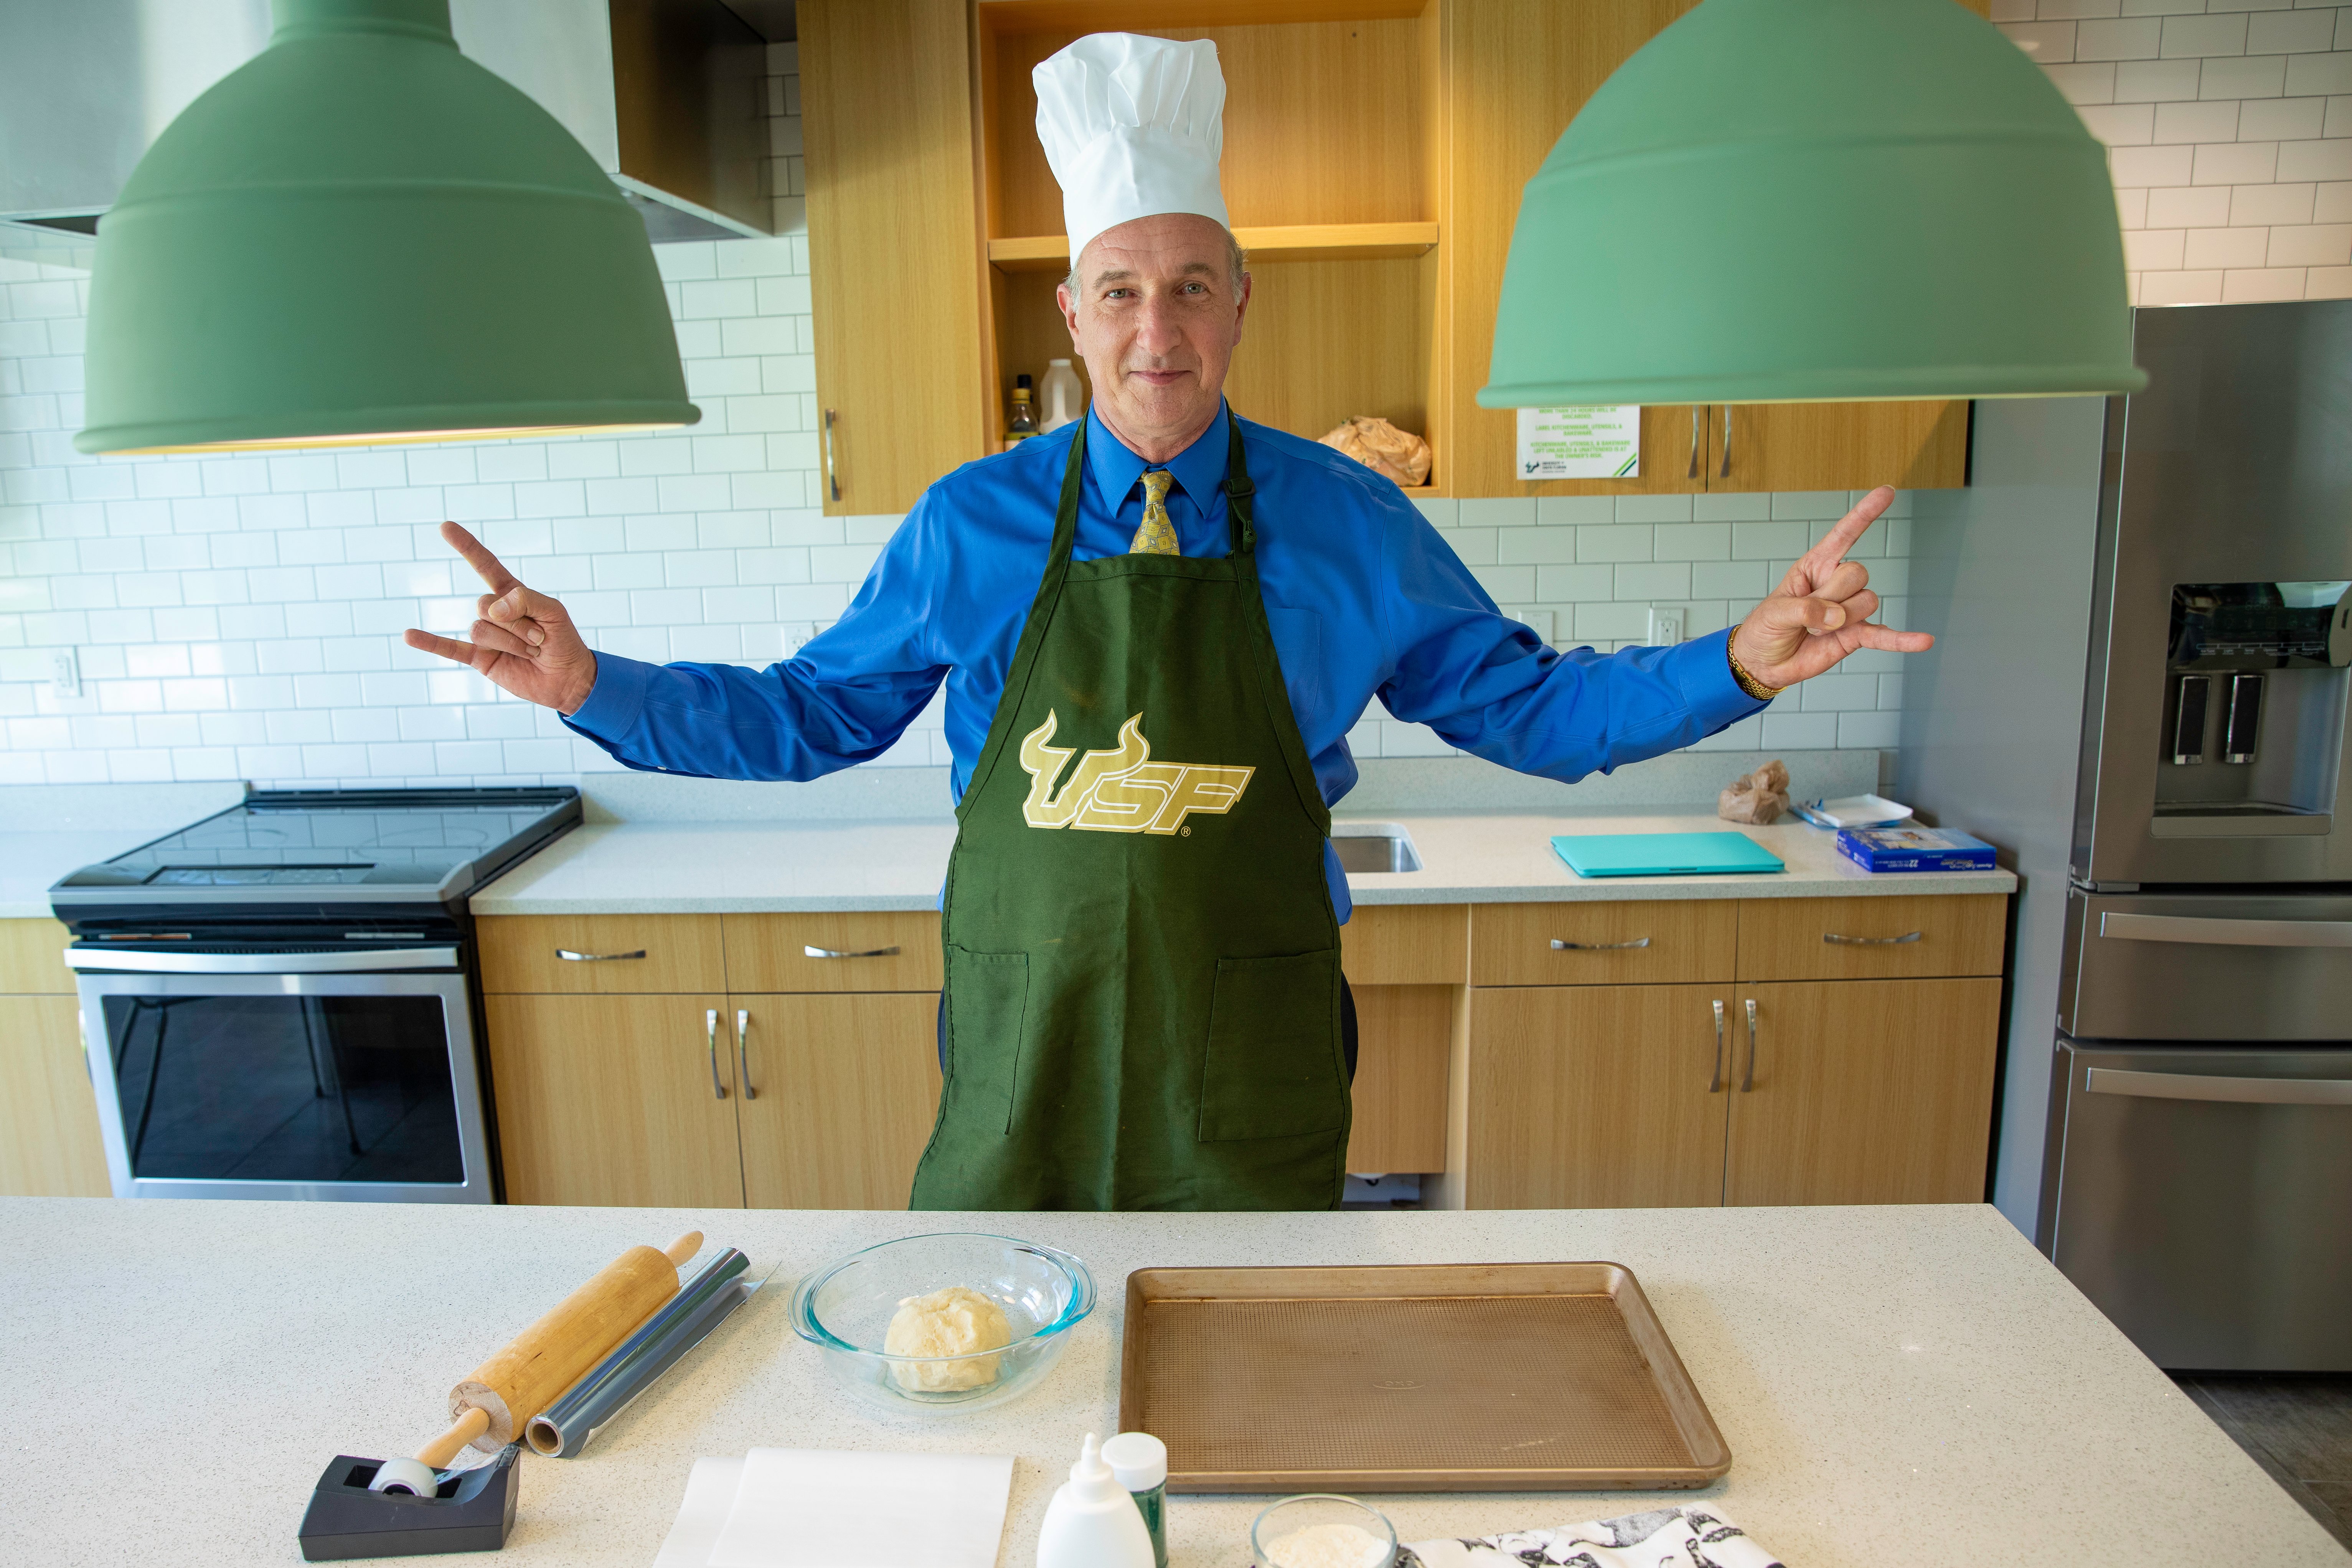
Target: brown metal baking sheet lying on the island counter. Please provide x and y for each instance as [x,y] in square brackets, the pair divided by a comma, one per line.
[1429,1379]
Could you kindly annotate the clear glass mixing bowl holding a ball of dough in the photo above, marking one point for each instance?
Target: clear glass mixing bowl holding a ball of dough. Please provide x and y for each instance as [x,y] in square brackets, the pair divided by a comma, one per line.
[846,1311]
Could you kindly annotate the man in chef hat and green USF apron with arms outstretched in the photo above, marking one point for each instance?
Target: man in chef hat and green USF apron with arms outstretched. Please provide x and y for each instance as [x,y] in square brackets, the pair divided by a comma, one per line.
[1156,631]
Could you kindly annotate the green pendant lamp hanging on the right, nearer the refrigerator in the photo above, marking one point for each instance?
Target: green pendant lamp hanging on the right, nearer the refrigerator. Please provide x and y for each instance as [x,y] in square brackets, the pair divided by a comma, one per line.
[1791,201]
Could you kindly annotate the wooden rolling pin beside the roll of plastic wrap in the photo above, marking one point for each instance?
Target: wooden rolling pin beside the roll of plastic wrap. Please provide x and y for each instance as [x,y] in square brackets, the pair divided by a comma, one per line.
[552,1355]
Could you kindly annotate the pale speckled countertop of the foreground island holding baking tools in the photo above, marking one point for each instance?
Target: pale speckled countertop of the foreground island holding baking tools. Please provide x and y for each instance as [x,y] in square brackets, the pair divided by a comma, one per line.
[1899,1386]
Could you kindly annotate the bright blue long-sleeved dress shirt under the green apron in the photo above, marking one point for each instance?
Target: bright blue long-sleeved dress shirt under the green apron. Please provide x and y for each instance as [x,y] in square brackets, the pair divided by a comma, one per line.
[1361,591]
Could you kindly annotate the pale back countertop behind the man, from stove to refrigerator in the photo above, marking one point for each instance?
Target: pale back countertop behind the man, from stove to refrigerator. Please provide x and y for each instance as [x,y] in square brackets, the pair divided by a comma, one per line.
[1469,857]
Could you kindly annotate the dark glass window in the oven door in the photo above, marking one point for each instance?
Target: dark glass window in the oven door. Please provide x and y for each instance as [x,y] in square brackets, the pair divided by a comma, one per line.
[286,1090]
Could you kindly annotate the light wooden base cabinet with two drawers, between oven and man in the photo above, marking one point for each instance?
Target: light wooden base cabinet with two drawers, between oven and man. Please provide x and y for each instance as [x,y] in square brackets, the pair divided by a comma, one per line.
[608,1071]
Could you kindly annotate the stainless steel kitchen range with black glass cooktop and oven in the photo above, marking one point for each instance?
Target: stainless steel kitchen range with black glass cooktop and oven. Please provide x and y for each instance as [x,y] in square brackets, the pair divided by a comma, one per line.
[281,1003]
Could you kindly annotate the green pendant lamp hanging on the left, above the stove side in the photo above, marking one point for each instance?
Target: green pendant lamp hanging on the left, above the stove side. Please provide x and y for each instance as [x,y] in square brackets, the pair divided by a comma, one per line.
[363,236]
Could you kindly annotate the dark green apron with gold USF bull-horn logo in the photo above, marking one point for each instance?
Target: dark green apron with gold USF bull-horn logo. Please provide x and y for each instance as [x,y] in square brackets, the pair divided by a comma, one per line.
[1144,996]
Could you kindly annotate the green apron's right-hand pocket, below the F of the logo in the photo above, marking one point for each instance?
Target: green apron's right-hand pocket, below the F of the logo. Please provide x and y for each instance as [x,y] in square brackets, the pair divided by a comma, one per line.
[1274,1050]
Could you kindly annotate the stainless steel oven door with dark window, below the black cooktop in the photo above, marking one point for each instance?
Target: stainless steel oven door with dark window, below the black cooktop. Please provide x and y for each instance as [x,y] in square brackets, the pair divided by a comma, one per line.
[288,1076]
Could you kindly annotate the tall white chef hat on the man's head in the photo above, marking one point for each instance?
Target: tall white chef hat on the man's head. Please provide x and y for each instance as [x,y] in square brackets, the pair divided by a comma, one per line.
[1132,128]
